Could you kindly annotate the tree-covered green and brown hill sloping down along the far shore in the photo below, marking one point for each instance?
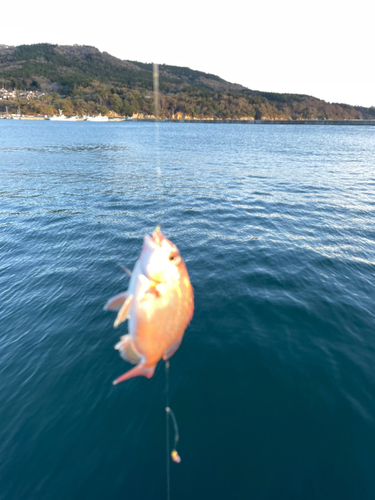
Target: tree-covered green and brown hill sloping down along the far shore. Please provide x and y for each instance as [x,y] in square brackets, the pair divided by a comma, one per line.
[81,80]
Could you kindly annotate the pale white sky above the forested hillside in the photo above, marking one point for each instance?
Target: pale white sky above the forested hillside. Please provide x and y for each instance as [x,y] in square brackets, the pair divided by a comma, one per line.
[320,48]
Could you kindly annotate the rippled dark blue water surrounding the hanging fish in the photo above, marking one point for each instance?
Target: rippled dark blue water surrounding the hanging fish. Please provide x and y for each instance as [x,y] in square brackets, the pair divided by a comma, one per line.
[273,386]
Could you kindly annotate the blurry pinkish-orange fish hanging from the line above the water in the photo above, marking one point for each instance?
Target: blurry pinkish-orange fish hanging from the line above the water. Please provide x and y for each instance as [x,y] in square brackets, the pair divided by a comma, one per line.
[158,304]
